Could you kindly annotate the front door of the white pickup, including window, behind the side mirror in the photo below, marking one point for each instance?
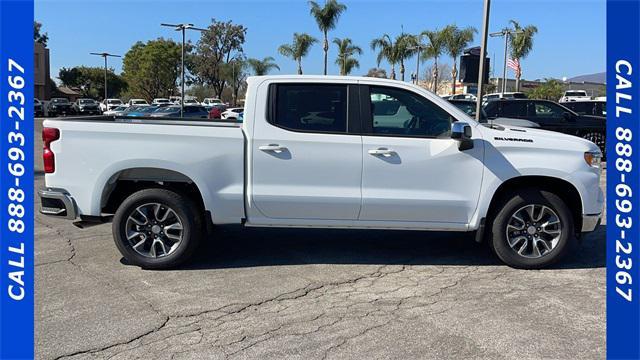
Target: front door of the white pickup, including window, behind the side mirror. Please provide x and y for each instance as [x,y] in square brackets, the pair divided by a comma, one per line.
[412,170]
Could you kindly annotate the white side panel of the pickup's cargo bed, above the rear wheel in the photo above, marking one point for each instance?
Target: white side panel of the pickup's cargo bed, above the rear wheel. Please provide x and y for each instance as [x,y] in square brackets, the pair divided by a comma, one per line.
[94,152]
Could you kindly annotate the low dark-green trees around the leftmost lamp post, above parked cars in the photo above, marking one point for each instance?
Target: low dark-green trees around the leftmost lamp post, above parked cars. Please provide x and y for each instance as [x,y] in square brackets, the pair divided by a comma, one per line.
[90,81]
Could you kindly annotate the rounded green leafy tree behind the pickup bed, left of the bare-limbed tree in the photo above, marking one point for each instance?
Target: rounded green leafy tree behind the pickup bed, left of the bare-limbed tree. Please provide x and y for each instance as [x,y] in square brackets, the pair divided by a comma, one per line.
[151,69]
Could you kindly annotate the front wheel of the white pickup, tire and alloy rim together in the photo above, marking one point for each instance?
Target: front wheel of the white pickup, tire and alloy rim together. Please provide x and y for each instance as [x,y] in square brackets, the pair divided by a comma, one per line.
[515,241]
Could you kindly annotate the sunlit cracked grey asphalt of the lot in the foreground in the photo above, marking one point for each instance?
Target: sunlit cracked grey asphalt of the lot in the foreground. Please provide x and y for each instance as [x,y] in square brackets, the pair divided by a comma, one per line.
[313,294]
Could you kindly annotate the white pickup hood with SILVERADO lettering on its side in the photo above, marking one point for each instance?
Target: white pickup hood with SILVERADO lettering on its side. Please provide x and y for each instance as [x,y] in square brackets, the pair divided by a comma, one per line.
[502,136]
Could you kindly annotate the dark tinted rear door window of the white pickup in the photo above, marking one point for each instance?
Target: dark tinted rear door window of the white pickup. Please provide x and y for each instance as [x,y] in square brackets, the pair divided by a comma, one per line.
[311,107]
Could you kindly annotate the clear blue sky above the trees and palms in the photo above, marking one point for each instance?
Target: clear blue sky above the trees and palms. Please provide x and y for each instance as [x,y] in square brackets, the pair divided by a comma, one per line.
[570,39]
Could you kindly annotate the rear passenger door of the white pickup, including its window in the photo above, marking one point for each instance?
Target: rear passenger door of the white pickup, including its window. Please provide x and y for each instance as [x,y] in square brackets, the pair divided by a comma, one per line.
[306,154]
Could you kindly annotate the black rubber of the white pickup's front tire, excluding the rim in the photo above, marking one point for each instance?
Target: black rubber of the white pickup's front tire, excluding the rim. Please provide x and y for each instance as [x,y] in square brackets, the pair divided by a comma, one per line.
[510,204]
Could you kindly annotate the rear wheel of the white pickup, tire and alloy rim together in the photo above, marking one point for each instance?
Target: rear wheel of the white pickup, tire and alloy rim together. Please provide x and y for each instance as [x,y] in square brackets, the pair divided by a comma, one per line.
[157,228]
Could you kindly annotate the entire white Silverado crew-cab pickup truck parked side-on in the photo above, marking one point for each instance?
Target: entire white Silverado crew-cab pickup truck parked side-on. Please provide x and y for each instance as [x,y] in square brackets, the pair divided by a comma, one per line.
[324,152]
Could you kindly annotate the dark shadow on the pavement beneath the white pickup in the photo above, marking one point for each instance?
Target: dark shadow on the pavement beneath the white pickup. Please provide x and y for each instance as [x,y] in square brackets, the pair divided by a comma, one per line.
[235,247]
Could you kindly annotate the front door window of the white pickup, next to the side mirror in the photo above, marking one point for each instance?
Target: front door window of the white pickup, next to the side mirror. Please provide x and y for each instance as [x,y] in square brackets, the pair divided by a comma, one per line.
[400,112]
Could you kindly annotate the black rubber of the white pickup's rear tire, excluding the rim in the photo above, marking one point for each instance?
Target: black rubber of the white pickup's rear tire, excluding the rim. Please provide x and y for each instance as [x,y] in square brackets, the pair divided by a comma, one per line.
[184,208]
